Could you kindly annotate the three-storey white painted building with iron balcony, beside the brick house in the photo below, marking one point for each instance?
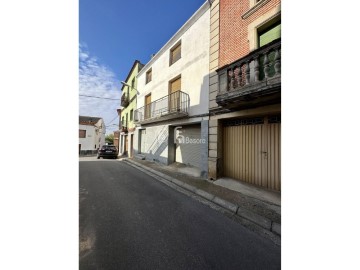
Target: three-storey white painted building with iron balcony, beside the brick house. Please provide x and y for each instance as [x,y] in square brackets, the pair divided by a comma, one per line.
[173,100]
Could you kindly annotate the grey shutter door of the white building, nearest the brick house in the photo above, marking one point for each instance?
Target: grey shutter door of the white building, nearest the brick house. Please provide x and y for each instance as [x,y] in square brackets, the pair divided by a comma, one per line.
[189,153]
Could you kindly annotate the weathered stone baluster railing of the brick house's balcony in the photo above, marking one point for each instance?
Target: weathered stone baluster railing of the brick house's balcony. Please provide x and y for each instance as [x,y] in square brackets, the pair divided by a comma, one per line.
[256,67]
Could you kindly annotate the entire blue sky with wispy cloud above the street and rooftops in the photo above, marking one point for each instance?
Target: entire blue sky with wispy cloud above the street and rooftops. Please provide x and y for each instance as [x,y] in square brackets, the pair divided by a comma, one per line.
[112,35]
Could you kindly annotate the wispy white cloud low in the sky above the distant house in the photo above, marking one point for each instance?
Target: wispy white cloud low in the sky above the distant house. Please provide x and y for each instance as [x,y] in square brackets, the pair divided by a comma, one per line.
[95,79]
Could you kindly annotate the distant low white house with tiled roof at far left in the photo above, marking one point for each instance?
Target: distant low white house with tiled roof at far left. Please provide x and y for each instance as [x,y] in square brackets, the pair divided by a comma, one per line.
[91,134]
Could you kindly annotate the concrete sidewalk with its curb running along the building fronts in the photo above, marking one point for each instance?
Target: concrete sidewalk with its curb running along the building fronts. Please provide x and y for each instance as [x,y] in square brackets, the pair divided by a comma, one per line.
[255,208]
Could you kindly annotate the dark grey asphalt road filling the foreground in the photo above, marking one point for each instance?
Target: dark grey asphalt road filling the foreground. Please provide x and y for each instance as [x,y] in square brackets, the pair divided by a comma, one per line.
[129,220]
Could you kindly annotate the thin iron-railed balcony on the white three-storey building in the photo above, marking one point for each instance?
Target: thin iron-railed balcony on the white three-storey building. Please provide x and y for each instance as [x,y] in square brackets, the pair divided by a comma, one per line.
[175,105]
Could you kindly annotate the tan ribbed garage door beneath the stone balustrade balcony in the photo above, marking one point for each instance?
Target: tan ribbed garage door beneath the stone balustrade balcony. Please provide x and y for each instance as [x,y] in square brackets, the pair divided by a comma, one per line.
[252,151]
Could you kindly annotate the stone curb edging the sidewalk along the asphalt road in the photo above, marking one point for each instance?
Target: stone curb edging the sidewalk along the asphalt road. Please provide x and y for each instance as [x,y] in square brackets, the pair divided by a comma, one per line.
[265,225]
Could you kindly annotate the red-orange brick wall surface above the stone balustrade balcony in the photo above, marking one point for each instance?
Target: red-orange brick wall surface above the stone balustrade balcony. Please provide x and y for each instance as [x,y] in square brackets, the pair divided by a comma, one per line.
[234,39]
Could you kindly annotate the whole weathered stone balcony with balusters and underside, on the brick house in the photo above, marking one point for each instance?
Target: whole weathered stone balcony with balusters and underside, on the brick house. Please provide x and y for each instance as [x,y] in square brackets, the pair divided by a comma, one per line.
[254,80]
